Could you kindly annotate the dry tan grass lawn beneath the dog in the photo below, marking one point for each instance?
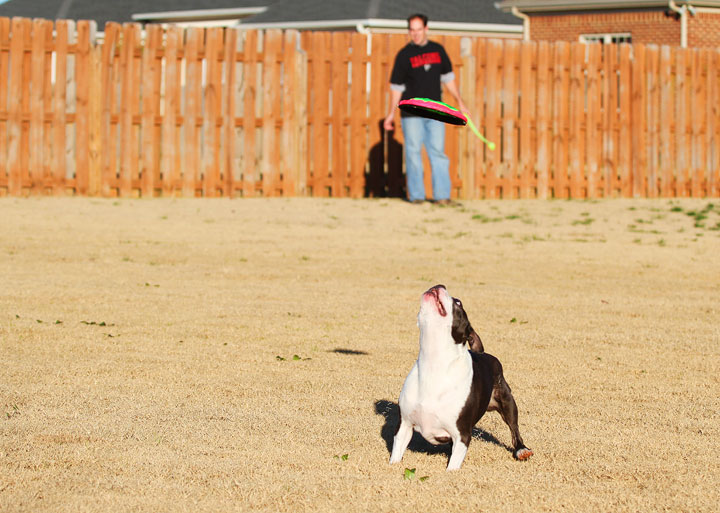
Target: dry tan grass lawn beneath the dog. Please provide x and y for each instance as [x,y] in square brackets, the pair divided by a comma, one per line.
[217,355]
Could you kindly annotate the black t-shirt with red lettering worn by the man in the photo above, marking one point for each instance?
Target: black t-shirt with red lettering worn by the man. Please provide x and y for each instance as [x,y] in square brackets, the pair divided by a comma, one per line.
[419,69]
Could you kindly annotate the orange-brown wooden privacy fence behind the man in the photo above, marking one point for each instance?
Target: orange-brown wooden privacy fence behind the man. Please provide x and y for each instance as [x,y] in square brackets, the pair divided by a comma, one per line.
[211,112]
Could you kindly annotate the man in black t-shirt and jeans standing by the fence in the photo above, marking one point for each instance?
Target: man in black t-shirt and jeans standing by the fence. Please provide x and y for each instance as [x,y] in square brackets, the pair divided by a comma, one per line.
[419,70]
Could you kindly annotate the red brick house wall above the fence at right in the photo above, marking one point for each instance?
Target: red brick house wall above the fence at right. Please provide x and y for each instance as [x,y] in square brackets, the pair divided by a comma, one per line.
[644,26]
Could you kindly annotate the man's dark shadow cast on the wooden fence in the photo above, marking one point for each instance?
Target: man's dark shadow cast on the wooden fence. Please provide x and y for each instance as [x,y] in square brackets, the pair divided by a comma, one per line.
[384,177]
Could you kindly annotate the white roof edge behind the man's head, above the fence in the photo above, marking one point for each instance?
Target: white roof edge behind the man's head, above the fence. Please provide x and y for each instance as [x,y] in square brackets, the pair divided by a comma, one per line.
[362,25]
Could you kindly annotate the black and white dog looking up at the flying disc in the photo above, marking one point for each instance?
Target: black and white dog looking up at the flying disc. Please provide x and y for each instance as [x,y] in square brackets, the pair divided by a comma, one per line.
[449,388]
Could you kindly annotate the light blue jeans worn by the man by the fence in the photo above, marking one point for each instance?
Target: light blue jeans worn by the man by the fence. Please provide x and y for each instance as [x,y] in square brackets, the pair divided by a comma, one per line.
[418,131]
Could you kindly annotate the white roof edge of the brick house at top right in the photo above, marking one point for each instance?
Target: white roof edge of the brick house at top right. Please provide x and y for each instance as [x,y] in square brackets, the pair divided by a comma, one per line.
[569,5]
